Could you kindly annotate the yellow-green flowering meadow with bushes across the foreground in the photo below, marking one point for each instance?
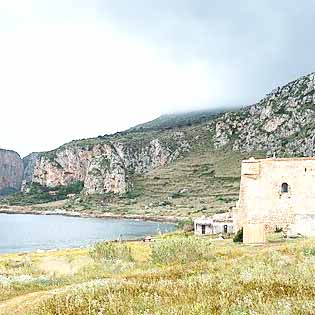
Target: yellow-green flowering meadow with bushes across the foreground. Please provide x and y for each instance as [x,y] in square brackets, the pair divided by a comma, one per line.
[176,274]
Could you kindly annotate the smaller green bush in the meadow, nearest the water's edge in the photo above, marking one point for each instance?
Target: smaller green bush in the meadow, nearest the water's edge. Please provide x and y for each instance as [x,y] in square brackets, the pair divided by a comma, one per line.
[111,251]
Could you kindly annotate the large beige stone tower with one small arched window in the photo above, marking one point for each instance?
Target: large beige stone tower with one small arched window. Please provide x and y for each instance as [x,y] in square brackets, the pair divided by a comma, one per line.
[277,192]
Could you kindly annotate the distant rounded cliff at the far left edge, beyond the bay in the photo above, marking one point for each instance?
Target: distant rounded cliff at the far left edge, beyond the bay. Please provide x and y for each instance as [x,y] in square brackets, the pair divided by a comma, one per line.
[11,171]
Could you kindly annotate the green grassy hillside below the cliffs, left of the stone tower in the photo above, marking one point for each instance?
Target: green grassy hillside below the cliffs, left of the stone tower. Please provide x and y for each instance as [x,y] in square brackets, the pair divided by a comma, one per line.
[202,182]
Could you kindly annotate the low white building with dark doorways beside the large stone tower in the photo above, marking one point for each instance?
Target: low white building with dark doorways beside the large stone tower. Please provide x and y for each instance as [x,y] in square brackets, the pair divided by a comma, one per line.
[214,225]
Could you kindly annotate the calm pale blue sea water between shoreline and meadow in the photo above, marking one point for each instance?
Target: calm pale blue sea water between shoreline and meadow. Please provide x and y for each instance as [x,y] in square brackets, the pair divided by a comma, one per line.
[24,232]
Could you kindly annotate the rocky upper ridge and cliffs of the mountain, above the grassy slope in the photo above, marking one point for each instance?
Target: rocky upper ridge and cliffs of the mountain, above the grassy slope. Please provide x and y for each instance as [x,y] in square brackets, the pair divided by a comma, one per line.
[283,123]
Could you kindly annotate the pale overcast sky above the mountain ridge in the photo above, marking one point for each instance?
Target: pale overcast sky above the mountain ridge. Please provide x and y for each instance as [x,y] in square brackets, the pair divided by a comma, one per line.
[72,69]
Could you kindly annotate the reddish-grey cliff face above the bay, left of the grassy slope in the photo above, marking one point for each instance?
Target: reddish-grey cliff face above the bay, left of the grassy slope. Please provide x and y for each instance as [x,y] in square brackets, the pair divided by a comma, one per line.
[106,166]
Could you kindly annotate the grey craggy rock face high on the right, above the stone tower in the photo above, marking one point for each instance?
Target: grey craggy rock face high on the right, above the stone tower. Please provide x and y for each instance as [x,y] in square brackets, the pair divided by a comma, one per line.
[282,123]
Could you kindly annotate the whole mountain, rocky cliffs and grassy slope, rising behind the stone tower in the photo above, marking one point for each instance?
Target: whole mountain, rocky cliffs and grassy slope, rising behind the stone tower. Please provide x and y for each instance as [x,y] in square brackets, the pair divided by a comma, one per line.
[188,161]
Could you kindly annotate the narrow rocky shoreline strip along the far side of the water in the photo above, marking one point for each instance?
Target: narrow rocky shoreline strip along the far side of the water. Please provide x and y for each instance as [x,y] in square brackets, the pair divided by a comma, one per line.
[91,214]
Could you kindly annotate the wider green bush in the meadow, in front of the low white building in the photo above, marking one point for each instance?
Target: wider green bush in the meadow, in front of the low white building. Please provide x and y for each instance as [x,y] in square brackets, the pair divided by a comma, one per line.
[180,250]
